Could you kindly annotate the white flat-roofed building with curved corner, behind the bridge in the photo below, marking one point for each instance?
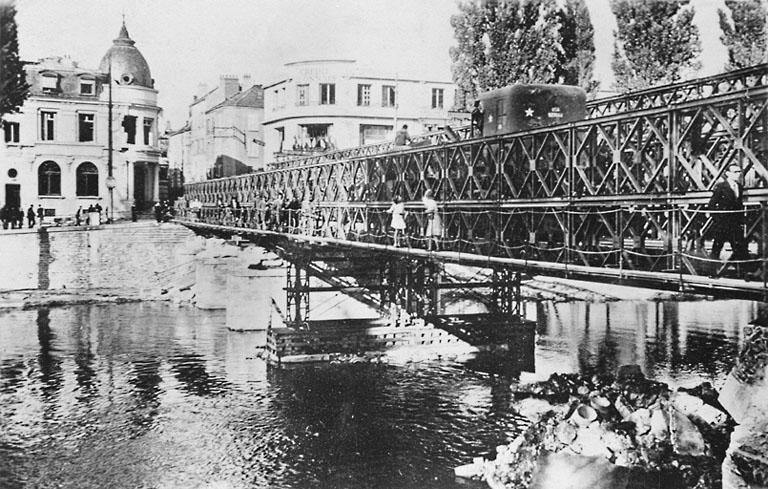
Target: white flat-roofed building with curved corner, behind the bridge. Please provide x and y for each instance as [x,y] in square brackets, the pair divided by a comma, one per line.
[337,103]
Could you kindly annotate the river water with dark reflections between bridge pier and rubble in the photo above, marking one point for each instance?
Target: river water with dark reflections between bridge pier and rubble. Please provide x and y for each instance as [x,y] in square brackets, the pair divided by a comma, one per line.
[676,342]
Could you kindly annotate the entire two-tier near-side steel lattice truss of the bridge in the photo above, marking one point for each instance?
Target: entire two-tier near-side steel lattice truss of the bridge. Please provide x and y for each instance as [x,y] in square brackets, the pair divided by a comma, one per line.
[626,192]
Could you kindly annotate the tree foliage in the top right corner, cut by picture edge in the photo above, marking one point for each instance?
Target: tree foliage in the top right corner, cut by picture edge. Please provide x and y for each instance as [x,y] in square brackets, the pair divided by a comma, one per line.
[743,32]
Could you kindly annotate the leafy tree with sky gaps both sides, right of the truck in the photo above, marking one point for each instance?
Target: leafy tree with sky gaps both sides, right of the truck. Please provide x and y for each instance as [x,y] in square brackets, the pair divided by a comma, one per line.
[656,42]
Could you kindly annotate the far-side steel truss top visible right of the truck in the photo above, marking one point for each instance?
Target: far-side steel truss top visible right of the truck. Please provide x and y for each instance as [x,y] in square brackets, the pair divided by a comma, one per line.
[686,91]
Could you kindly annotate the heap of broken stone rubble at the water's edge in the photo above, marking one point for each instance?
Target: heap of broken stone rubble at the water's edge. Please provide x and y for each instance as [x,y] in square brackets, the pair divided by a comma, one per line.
[628,423]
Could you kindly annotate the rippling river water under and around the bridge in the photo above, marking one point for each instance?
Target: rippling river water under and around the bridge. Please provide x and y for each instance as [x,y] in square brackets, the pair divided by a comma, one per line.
[156,396]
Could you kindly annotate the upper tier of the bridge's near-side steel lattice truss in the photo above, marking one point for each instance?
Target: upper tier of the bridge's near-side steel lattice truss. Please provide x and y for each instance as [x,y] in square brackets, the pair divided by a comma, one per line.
[681,149]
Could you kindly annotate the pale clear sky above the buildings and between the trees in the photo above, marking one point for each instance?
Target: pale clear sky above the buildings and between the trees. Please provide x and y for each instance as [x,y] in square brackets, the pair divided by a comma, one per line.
[189,42]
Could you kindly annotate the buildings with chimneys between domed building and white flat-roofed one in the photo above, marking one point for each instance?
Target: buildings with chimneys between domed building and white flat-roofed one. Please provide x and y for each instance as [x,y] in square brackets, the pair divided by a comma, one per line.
[223,135]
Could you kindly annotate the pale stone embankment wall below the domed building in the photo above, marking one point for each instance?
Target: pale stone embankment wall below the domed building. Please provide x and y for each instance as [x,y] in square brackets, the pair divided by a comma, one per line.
[122,256]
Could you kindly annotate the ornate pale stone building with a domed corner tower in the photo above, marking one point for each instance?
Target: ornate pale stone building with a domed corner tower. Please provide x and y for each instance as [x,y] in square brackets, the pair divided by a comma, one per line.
[85,137]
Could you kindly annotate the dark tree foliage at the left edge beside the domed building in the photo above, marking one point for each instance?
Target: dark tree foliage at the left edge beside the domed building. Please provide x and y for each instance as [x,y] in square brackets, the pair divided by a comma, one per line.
[13,85]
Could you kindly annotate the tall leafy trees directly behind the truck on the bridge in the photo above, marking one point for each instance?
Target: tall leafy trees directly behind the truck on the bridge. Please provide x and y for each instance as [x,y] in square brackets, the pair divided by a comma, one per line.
[521,41]
